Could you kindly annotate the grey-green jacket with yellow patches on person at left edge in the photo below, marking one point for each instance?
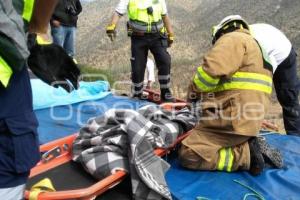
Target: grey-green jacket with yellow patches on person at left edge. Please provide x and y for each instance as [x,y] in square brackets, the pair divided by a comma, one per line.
[13,43]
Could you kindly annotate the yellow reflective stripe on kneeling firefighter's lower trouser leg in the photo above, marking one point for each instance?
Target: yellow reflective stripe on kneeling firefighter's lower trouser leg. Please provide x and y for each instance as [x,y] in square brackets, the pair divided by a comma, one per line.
[226,158]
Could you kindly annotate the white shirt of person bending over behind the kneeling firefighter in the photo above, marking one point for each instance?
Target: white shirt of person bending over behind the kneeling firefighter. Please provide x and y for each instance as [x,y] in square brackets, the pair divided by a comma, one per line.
[275,43]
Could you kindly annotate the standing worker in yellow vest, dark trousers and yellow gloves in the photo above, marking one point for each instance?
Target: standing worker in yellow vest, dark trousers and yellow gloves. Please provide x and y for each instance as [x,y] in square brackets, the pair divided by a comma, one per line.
[150,29]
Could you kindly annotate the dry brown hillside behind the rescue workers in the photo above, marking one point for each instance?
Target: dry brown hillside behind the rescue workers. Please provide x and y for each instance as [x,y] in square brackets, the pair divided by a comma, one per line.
[192,21]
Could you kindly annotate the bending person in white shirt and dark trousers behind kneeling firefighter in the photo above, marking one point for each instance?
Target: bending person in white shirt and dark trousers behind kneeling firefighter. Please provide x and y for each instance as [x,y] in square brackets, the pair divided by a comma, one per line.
[284,63]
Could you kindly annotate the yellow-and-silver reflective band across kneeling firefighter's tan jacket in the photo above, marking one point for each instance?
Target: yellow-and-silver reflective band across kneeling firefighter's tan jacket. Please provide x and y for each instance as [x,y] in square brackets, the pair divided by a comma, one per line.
[240,80]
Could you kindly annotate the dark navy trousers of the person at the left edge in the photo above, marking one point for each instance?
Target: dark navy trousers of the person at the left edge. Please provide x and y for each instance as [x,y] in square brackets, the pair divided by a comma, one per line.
[19,146]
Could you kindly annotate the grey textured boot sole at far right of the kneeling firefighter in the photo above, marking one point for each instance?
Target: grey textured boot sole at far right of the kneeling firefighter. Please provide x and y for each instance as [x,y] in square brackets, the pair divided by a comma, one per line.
[272,156]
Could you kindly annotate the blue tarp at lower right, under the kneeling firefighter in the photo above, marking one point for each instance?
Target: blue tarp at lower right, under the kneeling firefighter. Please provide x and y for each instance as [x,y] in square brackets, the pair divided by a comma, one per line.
[273,184]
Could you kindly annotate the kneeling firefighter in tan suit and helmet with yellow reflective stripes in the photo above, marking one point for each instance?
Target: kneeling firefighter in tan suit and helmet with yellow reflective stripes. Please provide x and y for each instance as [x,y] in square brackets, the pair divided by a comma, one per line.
[231,91]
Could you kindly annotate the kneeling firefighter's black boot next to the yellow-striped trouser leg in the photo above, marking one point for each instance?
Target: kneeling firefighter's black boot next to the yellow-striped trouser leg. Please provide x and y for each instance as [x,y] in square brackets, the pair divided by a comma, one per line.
[257,162]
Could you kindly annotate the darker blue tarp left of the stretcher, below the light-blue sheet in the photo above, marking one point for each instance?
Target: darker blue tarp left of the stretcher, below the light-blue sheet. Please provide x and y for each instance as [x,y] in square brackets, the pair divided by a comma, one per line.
[60,121]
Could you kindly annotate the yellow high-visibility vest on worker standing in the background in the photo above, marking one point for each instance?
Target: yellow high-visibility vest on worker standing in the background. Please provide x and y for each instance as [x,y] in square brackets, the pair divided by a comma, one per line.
[140,18]
